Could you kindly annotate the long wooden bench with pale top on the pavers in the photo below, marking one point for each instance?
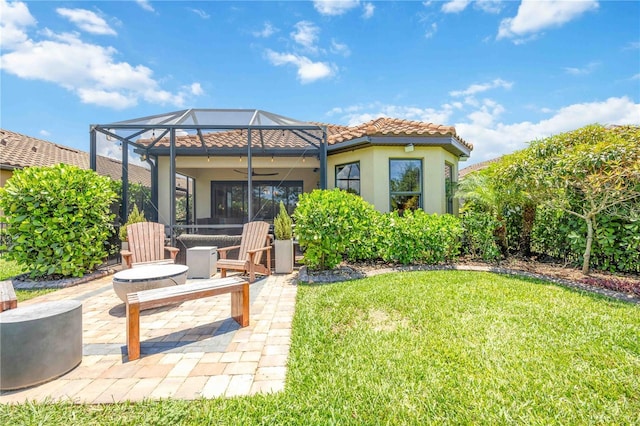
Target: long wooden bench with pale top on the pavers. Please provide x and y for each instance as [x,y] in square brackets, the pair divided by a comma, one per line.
[147,299]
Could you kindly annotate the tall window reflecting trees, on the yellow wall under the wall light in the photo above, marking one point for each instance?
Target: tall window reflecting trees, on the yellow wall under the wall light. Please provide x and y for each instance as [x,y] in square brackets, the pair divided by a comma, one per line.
[405,184]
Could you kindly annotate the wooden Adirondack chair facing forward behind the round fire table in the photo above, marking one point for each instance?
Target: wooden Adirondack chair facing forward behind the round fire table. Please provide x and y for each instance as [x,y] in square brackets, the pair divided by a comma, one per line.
[146,245]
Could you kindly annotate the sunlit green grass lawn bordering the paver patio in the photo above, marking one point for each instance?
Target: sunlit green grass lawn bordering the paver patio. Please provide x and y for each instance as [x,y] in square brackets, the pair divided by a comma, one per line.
[447,347]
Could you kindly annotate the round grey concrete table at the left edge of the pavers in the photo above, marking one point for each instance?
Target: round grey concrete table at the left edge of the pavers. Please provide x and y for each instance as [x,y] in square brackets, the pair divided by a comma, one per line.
[39,342]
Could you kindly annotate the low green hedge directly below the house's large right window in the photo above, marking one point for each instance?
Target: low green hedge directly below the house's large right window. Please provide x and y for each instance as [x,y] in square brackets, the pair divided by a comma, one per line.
[418,237]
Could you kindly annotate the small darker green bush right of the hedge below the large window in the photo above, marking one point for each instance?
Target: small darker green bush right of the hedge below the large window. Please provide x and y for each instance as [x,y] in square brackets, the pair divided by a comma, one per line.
[479,239]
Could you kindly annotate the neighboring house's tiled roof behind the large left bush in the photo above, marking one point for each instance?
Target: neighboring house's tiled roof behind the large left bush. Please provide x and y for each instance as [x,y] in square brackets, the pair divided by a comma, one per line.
[18,151]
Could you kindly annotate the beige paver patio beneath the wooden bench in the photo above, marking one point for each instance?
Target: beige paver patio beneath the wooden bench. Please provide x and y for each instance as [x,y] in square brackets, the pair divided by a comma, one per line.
[188,351]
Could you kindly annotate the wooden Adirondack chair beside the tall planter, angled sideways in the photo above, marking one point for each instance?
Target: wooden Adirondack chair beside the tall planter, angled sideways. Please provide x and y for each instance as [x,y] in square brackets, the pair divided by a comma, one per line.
[255,241]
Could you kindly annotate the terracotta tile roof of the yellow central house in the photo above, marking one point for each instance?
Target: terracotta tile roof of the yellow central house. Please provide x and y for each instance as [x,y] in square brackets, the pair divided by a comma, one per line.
[336,134]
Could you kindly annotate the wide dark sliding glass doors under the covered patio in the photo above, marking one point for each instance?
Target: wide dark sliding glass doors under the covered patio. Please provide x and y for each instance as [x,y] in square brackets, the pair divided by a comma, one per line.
[229,201]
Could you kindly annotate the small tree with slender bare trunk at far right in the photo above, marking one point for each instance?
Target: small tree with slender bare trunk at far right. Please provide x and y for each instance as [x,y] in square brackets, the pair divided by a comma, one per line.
[587,172]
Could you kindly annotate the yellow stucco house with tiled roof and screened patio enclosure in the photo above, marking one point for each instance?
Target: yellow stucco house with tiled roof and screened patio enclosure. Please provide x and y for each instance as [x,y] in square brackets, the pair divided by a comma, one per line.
[393,164]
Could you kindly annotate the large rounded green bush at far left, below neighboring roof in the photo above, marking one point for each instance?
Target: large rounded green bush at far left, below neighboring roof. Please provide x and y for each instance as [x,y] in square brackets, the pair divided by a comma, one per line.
[58,219]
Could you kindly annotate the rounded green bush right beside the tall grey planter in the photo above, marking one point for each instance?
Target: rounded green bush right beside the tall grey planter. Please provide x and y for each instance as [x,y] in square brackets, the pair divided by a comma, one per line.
[332,225]
